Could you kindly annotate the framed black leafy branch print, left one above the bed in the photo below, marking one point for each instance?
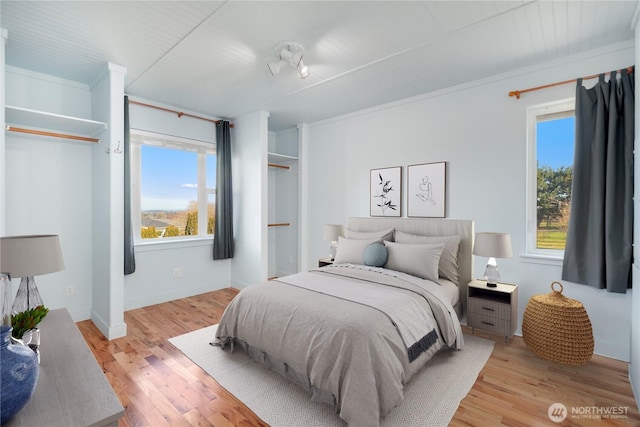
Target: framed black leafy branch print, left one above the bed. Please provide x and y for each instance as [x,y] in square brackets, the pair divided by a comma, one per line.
[386,192]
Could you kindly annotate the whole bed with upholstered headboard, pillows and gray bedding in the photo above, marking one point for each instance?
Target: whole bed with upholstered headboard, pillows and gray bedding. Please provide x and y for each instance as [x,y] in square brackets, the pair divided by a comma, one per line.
[351,334]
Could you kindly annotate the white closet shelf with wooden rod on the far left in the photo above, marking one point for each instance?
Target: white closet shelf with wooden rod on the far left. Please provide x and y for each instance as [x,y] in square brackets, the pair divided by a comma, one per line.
[40,122]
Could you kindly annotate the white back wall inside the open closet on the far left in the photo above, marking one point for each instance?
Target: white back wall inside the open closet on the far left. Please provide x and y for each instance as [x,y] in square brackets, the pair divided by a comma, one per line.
[48,186]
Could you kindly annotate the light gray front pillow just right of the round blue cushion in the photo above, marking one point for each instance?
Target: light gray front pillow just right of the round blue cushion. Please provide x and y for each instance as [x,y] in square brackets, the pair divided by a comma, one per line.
[417,260]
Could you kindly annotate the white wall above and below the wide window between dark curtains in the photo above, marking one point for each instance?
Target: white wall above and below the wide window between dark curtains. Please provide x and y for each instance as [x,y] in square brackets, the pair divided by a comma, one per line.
[153,280]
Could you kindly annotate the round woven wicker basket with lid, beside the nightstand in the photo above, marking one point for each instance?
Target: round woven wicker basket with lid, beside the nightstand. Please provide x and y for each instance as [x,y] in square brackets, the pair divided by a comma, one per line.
[558,328]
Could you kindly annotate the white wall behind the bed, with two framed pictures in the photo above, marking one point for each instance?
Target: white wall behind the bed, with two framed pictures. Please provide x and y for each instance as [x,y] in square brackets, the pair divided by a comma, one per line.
[481,133]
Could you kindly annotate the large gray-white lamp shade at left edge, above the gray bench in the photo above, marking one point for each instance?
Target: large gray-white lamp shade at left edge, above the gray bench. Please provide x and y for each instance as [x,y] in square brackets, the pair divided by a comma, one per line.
[28,256]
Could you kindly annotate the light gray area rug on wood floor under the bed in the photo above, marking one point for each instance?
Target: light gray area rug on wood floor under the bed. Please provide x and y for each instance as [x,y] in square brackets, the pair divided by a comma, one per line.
[431,398]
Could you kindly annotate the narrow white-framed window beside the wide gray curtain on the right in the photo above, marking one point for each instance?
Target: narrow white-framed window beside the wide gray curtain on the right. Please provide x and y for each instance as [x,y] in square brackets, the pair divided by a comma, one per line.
[551,133]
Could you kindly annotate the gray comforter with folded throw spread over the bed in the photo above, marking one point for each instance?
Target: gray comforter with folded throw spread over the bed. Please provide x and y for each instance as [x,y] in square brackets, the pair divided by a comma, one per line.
[354,354]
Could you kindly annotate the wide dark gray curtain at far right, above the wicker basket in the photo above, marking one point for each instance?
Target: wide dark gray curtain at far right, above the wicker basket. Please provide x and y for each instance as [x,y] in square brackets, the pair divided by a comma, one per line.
[599,240]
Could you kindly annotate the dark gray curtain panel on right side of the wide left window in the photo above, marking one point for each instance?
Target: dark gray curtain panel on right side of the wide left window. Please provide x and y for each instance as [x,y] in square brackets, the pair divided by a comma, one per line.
[223,228]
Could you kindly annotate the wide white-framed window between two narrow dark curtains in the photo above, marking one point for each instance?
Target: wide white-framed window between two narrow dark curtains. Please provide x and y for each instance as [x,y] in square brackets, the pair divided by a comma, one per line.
[173,187]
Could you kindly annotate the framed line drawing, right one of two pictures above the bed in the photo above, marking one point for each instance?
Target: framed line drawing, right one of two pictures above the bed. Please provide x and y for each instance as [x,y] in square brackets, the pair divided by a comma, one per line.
[426,190]
